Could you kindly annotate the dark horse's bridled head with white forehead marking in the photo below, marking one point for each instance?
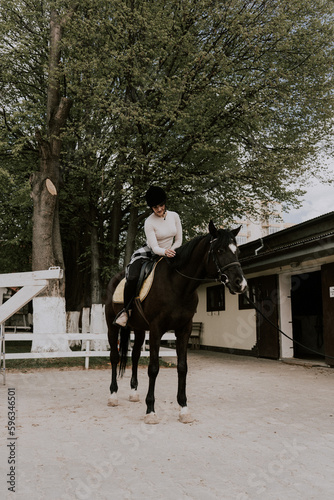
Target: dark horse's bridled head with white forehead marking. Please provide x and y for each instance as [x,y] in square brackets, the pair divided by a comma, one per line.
[223,258]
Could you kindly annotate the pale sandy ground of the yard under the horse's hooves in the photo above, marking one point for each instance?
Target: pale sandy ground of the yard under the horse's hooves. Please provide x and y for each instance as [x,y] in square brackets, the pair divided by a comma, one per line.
[263,430]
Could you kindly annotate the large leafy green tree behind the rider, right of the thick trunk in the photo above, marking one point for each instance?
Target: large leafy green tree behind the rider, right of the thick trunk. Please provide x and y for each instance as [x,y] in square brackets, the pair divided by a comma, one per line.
[223,104]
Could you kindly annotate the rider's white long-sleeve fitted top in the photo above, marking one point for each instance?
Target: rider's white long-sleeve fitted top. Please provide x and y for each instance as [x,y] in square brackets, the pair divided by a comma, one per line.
[163,232]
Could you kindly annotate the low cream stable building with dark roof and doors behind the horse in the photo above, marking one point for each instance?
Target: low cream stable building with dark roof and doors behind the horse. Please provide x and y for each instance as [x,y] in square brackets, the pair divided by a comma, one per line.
[291,282]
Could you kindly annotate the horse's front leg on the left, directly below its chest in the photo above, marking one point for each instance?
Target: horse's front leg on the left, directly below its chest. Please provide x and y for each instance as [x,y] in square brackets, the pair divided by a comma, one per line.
[153,370]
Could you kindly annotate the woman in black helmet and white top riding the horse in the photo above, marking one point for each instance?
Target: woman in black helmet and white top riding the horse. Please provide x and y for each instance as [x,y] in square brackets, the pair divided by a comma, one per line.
[163,233]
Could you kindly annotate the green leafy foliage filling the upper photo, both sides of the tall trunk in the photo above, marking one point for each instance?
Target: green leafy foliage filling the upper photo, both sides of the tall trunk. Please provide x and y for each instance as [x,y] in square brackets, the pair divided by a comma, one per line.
[221,103]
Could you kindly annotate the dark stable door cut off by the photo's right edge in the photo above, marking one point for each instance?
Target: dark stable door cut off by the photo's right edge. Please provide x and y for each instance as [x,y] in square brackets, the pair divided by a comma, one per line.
[327,280]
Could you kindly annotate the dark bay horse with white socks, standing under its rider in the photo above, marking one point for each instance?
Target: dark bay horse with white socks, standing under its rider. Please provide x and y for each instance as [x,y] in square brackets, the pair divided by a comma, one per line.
[171,305]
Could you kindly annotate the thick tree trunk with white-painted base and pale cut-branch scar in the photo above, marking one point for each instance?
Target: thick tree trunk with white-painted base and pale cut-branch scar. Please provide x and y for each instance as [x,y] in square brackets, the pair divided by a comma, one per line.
[49,307]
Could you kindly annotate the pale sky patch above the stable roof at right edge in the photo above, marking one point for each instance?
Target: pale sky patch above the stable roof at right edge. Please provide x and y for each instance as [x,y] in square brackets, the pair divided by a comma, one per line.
[318,200]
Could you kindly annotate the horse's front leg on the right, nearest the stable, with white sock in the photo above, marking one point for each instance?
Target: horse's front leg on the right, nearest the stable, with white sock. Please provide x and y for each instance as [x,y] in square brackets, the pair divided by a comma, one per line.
[182,338]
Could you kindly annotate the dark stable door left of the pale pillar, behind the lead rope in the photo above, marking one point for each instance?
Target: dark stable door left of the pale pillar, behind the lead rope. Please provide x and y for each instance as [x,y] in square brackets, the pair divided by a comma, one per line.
[265,288]
